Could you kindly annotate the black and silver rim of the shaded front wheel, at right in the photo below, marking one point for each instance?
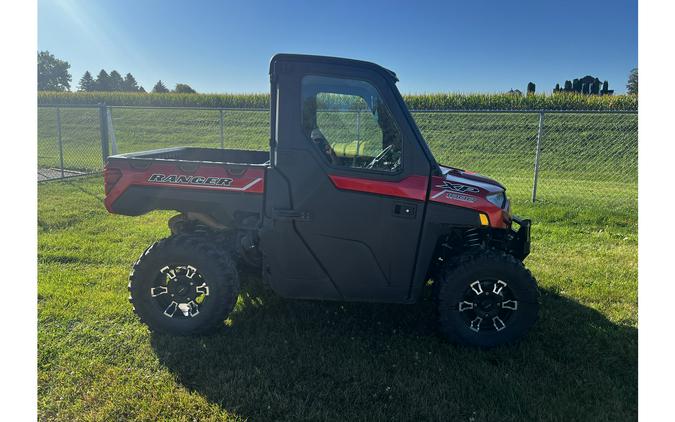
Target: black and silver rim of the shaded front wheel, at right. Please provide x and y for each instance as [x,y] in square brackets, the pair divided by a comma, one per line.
[488,305]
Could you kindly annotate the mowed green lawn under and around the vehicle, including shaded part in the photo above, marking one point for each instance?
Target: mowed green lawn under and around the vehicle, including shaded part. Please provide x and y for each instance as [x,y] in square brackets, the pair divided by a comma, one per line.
[278,359]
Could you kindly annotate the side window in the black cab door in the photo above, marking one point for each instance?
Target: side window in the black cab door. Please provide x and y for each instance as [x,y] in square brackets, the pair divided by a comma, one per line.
[350,124]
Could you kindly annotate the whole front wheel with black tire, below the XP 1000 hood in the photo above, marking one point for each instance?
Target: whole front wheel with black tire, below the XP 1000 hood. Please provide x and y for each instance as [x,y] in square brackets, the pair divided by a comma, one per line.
[487,300]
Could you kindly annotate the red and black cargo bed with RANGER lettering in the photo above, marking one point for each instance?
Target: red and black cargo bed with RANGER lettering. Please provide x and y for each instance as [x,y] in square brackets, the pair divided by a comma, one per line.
[224,183]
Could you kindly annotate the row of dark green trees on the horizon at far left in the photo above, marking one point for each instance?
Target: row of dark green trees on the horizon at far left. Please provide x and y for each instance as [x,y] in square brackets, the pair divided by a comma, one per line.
[53,75]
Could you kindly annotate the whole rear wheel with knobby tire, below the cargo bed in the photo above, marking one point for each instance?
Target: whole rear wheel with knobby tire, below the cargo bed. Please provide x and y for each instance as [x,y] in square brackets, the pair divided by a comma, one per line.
[182,285]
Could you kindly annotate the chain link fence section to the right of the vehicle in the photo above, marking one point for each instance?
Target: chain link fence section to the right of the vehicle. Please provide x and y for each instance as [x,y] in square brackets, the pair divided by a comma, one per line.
[573,158]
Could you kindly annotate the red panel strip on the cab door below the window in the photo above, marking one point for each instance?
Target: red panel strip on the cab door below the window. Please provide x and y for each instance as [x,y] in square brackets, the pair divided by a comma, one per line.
[412,187]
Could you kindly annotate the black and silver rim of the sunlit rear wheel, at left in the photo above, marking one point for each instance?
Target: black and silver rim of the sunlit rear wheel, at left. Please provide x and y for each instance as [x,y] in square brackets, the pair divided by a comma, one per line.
[180,291]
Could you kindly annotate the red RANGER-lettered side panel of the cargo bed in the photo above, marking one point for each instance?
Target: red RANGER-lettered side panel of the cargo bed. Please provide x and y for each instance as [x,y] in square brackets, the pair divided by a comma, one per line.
[247,179]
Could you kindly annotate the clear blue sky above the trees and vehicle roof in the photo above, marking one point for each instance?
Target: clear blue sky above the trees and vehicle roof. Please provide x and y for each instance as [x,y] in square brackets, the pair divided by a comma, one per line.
[461,46]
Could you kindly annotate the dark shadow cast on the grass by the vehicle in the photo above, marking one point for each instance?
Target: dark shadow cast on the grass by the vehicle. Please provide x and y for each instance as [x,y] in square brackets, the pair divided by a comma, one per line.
[298,360]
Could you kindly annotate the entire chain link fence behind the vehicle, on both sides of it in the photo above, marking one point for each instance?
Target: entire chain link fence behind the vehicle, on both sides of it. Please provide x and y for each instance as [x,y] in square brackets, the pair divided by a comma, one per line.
[574,158]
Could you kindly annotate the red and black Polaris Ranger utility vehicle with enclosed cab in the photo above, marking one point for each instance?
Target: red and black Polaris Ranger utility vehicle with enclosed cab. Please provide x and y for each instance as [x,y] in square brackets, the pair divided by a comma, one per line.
[348,204]
